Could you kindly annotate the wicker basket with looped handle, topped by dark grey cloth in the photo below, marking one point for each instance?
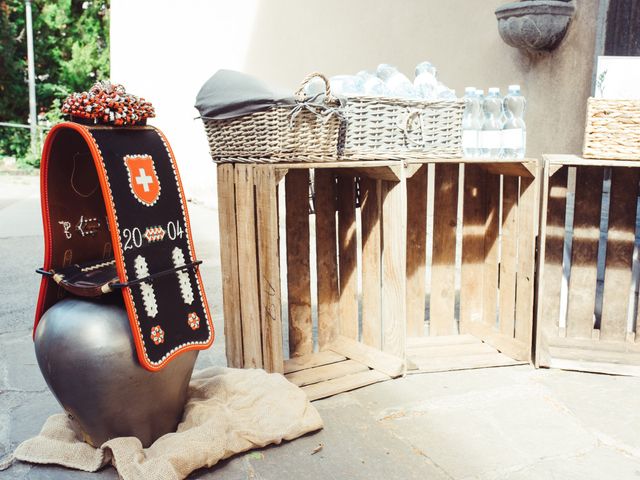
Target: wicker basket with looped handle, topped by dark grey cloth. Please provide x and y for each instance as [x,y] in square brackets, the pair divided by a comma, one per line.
[305,132]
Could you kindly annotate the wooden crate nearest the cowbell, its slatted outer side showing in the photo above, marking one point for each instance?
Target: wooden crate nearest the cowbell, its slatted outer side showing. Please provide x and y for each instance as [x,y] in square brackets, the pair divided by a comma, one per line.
[325,356]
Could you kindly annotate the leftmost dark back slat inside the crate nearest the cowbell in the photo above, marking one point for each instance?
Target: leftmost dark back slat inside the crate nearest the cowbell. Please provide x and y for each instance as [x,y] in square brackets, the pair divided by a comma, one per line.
[298,273]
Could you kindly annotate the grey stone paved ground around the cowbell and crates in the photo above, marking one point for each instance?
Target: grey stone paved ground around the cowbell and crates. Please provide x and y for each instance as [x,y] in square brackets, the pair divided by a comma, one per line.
[503,423]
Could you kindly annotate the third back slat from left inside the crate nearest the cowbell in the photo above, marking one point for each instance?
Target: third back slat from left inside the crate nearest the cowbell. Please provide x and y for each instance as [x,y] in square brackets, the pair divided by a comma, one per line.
[347,251]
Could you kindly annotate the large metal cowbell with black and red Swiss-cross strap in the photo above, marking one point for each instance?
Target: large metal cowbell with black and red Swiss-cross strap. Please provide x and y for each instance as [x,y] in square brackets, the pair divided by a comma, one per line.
[122,310]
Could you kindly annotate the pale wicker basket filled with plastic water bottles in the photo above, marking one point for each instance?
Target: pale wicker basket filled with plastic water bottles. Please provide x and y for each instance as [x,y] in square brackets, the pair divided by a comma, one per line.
[380,128]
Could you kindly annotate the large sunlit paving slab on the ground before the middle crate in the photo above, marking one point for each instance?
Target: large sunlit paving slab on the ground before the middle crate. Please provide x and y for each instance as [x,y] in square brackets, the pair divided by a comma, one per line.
[478,432]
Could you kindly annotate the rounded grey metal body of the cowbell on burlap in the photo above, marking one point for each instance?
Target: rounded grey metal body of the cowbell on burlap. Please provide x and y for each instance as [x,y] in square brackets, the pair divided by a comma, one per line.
[86,353]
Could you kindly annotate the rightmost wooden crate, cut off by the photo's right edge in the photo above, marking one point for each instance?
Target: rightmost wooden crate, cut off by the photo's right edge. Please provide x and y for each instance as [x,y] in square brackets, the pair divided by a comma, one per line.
[589,267]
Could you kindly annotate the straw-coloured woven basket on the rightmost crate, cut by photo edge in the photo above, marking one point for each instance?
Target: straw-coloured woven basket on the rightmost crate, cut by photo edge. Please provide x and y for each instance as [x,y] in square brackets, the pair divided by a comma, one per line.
[612,129]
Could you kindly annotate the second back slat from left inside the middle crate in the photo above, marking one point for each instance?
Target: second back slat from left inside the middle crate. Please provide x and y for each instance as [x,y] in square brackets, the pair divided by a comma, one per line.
[442,302]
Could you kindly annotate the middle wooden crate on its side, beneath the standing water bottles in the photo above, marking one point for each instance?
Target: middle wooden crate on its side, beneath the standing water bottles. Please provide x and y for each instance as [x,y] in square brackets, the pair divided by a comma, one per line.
[481,268]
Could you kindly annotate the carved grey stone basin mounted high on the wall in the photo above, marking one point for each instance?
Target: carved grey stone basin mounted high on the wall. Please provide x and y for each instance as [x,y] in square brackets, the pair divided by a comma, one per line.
[535,25]
